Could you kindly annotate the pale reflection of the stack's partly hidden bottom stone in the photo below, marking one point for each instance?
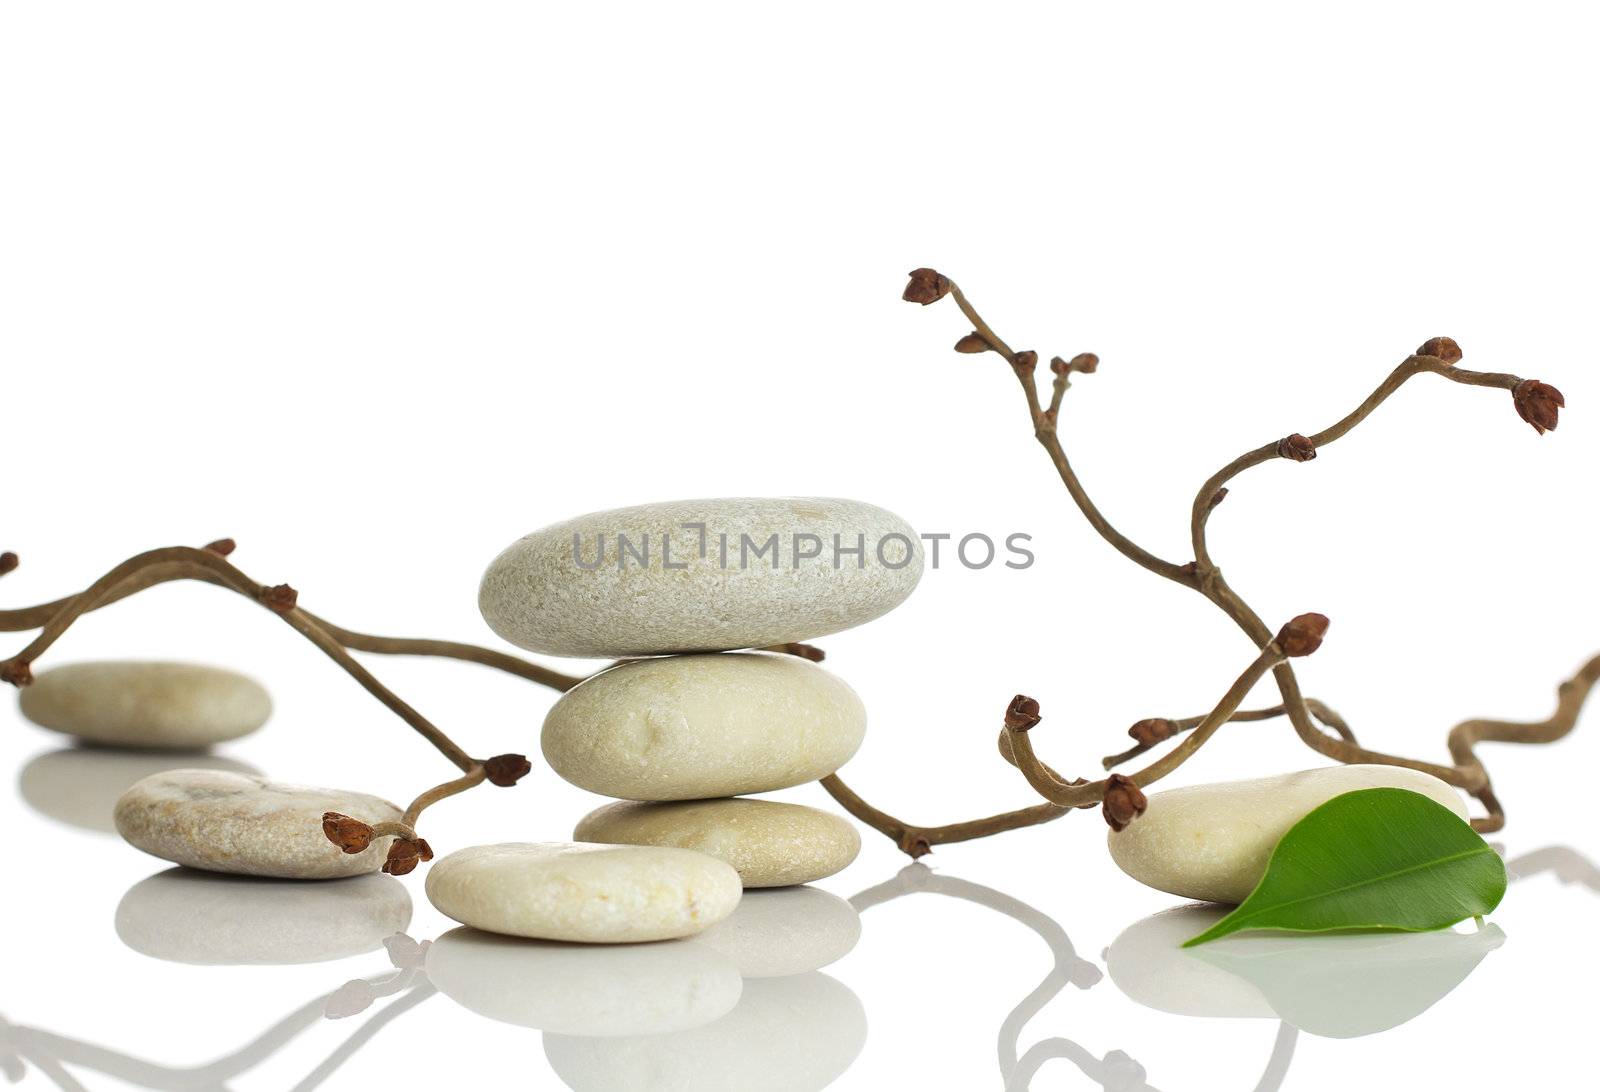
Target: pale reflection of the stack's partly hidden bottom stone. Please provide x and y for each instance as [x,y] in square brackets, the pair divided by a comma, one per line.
[786,933]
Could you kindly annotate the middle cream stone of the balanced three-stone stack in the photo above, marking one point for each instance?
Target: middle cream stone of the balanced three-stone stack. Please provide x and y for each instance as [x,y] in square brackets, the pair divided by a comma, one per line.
[697,728]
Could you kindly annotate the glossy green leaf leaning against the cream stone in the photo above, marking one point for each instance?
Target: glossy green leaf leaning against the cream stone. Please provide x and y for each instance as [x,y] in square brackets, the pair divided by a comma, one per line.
[1374,859]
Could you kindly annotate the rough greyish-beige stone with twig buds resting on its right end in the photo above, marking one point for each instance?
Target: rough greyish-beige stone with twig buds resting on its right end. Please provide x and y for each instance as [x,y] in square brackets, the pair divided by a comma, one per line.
[225,822]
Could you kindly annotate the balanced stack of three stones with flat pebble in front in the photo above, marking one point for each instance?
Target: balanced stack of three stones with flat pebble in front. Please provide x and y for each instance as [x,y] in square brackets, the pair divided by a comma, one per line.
[695,718]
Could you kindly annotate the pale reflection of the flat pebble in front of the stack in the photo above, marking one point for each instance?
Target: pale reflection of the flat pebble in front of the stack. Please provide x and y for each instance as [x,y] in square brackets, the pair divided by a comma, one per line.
[586,990]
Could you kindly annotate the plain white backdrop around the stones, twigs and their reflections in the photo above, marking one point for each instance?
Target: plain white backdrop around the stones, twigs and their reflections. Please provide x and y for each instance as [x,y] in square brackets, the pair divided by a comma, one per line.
[380,287]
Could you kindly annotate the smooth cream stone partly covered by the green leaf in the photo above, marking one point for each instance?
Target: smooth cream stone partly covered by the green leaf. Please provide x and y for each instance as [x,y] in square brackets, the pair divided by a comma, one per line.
[1214,841]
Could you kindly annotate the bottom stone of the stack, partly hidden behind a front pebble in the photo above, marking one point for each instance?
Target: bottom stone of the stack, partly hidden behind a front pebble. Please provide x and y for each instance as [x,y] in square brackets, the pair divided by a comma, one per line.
[770,845]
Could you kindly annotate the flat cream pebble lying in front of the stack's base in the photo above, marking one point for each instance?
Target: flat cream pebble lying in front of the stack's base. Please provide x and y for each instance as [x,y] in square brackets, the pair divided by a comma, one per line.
[583,893]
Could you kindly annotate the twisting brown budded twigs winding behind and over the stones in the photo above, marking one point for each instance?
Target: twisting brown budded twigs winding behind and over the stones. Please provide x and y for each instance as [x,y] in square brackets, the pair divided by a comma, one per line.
[1121,797]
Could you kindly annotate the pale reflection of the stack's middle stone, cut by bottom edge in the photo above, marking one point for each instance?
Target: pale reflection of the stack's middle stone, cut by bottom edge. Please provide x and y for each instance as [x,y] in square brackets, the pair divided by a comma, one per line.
[786,1035]
